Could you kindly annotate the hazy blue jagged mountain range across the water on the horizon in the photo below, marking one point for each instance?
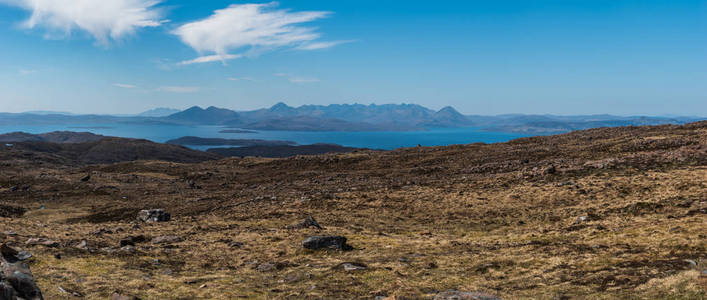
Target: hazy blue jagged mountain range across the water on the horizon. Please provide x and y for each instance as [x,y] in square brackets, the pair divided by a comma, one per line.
[349,117]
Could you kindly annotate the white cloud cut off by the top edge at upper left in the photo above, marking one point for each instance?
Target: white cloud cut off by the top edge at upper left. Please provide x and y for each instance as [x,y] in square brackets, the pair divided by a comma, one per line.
[103,19]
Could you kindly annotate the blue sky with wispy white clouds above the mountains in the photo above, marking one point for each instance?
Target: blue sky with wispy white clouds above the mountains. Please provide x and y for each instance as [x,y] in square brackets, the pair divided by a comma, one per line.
[565,57]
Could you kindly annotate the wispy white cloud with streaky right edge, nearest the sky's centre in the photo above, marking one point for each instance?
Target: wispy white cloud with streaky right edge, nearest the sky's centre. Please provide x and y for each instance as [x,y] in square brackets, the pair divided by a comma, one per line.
[251,29]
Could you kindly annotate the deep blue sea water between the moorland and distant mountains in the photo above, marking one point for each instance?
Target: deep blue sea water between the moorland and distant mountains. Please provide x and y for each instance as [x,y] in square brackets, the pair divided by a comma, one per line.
[386,140]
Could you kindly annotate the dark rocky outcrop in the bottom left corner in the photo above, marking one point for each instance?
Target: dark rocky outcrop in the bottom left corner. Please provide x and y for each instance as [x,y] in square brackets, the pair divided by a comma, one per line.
[16,280]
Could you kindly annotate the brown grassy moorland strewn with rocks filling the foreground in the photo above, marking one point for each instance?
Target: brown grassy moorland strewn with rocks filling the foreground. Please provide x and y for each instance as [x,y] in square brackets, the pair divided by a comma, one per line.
[596,214]
